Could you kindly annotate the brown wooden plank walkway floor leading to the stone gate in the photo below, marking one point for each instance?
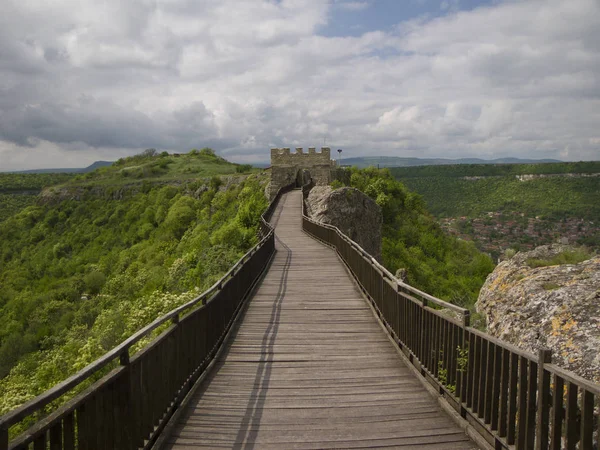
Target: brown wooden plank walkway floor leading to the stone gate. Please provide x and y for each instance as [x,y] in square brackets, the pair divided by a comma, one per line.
[309,366]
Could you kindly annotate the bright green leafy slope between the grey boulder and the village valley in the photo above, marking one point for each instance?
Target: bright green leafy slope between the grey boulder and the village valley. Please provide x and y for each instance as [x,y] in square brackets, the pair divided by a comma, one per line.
[436,263]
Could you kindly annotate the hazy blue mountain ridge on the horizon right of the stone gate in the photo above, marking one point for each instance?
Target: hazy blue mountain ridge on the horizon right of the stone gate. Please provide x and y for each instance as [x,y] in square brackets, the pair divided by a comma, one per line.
[397,161]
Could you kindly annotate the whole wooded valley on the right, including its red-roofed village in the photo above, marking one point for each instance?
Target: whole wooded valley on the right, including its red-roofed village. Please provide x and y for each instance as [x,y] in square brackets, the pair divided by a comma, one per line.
[512,206]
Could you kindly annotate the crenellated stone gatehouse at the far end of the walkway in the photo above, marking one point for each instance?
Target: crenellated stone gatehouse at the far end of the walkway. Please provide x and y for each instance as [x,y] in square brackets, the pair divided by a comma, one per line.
[286,166]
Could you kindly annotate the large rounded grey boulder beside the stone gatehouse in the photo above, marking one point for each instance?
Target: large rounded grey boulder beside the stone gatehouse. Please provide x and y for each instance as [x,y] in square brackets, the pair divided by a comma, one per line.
[354,213]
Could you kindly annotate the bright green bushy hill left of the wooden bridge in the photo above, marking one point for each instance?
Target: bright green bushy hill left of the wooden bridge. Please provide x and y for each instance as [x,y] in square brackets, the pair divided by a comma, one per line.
[79,276]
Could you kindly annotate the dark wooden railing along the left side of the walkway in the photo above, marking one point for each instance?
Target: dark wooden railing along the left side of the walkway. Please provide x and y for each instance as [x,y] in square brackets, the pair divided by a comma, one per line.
[128,407]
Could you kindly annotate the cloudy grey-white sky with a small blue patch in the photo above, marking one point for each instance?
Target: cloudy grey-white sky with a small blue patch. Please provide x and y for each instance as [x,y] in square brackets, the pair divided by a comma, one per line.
[84,80]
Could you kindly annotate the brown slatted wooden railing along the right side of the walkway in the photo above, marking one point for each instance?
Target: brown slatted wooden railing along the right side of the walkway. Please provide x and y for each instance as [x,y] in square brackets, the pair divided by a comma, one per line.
[512,398]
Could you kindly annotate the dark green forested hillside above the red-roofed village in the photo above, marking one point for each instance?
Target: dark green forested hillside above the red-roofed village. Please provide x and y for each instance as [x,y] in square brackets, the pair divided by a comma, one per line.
[449,194]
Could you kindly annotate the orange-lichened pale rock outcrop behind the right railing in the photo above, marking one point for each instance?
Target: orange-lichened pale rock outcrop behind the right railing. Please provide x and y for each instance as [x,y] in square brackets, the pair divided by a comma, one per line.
[555,307]
